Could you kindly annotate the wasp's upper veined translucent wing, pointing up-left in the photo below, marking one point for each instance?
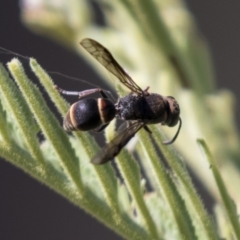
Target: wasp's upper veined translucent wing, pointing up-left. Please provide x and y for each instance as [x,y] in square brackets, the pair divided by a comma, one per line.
[102,55]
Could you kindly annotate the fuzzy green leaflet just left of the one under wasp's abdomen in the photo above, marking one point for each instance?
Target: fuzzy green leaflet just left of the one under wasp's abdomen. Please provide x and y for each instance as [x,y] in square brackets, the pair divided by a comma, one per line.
[48,123]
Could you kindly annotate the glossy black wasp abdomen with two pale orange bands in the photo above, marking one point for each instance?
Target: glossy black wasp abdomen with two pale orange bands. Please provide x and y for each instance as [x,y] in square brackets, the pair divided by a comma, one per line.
[89,114]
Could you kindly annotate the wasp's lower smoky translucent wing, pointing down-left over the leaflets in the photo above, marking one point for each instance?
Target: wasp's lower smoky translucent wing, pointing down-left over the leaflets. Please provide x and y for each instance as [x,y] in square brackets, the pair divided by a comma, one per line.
[114,147]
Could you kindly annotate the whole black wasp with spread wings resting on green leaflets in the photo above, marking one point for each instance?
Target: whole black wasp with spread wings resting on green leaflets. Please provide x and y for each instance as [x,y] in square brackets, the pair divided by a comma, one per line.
[138,108]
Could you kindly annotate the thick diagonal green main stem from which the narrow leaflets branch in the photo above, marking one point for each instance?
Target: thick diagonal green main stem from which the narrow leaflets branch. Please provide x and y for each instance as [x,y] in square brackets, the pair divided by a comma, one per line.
[125,227]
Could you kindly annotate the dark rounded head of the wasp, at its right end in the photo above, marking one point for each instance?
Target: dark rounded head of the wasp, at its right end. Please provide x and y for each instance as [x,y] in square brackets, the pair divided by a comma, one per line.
[174,112]
